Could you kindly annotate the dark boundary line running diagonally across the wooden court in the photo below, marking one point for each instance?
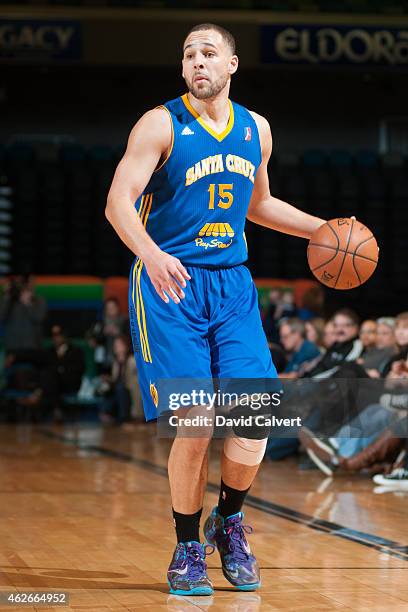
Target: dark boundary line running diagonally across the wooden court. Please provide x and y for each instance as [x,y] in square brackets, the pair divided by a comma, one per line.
[382,545]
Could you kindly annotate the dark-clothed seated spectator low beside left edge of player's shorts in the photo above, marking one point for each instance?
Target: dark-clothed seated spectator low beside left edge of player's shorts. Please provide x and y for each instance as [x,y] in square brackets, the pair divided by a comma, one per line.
[117,402]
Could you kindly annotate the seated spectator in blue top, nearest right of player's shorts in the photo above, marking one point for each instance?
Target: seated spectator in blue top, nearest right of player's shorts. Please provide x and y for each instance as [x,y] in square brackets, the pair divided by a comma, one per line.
[300,351]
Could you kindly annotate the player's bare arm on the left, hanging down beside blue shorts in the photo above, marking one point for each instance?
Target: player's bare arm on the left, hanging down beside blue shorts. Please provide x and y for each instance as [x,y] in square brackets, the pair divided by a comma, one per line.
[149,141]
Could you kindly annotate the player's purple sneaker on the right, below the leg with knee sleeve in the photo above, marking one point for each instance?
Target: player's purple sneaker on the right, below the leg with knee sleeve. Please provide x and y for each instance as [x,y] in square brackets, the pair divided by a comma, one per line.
[239,565]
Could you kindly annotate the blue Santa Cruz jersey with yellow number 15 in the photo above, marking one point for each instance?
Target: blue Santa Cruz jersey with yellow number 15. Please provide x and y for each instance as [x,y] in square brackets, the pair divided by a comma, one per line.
[195,204]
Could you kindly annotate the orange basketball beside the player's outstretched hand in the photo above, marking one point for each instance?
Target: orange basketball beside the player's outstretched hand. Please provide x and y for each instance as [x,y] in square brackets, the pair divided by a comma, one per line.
[342,253]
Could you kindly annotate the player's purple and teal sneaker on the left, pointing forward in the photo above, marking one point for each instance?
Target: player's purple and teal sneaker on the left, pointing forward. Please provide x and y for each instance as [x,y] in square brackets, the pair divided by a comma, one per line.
[187,573]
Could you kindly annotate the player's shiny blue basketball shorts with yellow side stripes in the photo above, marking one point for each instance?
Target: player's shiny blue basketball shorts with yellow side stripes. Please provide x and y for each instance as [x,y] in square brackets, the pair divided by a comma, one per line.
[215,332]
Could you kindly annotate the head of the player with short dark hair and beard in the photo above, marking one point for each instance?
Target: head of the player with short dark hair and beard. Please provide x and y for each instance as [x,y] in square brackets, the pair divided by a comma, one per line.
[209,60]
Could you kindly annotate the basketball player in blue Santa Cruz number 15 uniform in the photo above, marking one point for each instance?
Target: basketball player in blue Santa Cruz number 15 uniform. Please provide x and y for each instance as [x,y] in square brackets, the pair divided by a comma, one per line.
[195,169]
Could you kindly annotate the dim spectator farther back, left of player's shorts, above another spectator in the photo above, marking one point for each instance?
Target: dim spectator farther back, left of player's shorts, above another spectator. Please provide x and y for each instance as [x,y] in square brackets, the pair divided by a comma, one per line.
[102,335]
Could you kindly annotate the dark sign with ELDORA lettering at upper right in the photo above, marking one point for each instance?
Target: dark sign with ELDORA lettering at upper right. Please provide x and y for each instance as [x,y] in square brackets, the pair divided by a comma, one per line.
[329,44]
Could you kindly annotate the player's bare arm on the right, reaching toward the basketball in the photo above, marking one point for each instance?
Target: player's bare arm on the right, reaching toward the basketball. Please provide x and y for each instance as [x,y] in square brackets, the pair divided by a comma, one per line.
[266,210]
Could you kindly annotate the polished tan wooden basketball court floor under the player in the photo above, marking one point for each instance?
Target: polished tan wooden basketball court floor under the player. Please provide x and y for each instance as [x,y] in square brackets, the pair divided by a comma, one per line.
[86,511]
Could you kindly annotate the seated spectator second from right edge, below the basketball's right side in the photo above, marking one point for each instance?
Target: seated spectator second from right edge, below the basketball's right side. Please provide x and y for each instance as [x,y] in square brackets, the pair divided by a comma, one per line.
[375,360]
